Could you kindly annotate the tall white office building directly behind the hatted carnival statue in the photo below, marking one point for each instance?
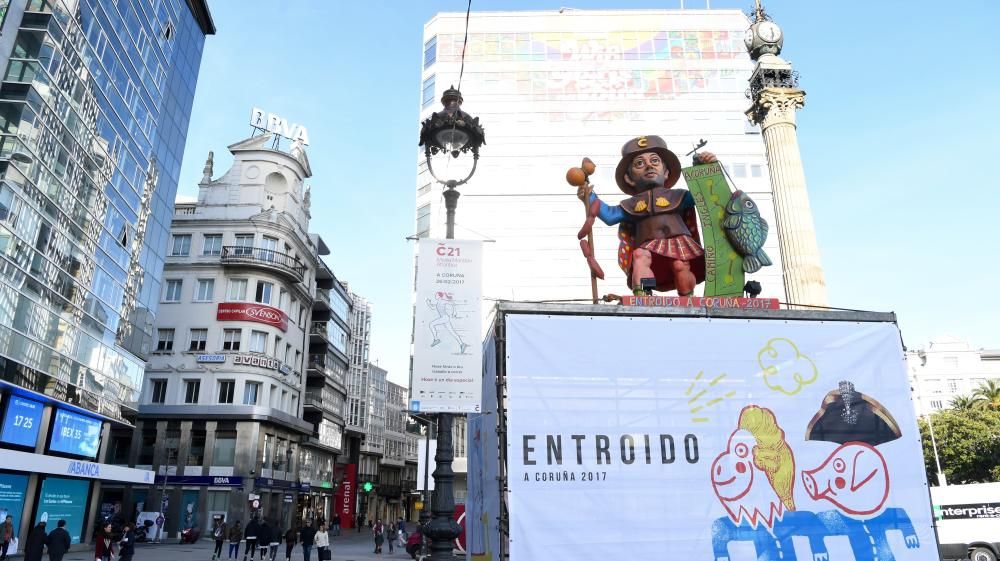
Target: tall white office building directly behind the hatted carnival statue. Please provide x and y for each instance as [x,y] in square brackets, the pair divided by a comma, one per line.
[552,87]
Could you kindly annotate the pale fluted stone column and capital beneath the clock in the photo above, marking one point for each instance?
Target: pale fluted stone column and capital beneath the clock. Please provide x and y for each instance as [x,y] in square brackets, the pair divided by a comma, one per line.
[774,110]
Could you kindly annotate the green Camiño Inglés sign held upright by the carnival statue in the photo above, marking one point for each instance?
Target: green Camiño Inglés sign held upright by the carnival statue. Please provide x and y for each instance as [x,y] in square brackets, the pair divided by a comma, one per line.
[723,264]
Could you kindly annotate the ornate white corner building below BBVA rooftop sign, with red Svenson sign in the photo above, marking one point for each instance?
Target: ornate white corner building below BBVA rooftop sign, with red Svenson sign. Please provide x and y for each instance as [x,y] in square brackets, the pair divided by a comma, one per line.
[221,411]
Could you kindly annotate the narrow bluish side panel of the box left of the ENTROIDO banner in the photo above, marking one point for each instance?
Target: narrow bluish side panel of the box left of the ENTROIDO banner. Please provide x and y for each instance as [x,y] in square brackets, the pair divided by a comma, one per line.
[482,507]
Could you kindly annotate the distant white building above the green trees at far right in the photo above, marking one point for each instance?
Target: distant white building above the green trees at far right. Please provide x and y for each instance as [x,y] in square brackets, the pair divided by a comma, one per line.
[948,368]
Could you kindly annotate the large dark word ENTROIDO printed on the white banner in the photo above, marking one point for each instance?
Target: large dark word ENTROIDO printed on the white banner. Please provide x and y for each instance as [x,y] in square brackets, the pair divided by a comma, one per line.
[631,448]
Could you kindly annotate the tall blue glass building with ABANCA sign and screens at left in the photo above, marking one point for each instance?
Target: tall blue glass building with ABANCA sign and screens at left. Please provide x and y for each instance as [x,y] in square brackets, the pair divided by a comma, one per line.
[95,100]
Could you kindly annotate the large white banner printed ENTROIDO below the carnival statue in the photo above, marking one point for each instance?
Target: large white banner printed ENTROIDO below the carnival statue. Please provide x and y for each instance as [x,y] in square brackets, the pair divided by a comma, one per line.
[712,439]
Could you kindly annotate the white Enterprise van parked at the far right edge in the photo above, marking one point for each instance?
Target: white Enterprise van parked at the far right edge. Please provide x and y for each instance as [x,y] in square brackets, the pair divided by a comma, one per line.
[967,518]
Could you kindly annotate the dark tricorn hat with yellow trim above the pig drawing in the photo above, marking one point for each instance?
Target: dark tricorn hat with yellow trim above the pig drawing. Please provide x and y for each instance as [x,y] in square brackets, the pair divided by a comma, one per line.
[847,415]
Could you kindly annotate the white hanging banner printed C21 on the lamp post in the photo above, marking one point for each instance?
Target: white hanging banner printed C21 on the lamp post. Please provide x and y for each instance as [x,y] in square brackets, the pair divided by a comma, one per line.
[447,361]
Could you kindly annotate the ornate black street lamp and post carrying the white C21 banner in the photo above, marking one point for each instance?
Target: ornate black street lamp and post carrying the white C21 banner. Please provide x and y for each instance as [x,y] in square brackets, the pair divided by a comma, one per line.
[453,132]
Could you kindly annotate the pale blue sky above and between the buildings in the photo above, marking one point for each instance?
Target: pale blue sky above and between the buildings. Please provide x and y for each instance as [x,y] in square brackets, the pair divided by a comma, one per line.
[899,137]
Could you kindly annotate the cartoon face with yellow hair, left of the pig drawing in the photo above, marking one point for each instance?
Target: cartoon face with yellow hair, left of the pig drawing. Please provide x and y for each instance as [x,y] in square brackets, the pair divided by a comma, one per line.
[753,478]
